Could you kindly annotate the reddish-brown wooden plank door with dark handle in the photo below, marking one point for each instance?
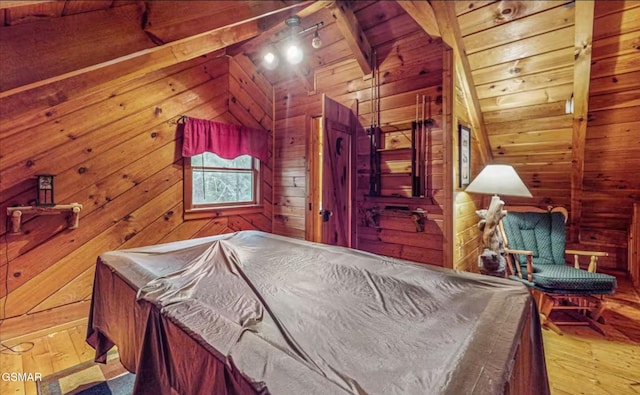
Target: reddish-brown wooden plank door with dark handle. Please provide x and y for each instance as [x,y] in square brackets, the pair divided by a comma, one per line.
[337,173]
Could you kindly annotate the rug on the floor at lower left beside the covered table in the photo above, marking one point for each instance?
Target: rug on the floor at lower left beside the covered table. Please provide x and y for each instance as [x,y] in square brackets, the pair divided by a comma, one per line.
[90,378]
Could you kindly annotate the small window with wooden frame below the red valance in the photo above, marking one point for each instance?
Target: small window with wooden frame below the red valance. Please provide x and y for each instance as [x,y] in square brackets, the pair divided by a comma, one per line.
[216,184]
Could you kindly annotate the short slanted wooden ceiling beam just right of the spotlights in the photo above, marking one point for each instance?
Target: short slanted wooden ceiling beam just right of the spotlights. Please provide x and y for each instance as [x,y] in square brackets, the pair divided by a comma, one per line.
[353,34]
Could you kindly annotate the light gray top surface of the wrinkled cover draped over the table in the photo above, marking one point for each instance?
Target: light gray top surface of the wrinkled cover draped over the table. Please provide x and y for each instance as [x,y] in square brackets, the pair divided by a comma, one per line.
[306,318]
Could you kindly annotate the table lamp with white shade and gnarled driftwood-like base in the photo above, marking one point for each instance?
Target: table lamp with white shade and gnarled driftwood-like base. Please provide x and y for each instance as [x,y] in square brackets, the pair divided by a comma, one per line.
[495,180]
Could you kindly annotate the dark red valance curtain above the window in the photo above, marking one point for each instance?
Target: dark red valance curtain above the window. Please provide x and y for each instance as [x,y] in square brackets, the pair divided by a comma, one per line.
[224,140]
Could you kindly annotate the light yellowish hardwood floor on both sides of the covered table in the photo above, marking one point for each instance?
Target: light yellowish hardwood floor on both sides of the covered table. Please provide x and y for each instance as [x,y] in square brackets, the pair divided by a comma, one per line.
[581,361]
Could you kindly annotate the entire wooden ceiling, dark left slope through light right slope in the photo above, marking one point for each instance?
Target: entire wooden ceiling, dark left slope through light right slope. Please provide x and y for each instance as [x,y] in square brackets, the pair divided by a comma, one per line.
[524,64]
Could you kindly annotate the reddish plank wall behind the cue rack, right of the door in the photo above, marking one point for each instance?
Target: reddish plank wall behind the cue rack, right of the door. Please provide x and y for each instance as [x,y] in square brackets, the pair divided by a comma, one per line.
[415,69]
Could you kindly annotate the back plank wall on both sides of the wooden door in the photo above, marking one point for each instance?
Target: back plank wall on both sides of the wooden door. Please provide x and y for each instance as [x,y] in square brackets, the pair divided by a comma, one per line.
[410,66]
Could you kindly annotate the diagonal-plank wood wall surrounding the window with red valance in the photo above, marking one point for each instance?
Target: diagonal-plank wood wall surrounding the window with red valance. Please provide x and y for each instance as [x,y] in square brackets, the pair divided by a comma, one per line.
[115,150]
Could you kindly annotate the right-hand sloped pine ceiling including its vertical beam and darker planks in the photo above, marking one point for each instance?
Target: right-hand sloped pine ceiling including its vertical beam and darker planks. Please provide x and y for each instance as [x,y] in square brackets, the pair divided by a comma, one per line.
[533,66]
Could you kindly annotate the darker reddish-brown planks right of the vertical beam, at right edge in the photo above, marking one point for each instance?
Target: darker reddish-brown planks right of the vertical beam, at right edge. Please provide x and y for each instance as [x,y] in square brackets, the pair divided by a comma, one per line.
[612,147]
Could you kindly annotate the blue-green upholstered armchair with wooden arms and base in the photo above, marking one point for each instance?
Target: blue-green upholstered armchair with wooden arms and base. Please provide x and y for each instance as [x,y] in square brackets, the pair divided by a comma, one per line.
[534,242]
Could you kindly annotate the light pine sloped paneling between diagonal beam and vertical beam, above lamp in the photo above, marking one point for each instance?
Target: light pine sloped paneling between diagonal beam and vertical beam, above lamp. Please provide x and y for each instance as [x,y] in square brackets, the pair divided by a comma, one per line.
[522,64]
